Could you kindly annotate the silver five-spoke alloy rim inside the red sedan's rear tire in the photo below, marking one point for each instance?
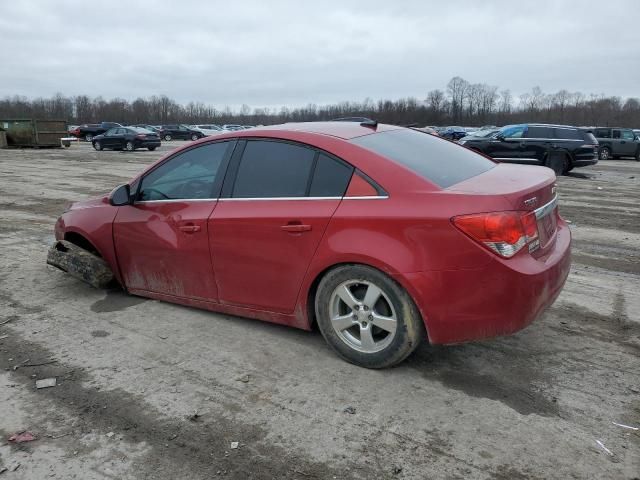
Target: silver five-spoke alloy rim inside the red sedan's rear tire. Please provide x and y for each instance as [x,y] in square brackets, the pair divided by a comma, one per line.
[363,316]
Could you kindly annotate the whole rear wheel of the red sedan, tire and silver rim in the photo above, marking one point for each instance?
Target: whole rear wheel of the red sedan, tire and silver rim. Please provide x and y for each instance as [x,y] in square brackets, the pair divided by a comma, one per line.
[402,327]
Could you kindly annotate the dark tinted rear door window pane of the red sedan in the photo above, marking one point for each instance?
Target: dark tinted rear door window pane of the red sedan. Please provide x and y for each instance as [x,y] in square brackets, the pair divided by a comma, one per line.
[271,169]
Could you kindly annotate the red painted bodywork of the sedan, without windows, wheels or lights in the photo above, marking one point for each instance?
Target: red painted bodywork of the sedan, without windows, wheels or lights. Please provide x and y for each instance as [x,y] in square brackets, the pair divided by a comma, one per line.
[261,258]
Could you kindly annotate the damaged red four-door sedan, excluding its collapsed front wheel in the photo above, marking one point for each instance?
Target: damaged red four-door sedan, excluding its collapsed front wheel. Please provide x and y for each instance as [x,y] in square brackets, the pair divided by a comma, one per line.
[384,236]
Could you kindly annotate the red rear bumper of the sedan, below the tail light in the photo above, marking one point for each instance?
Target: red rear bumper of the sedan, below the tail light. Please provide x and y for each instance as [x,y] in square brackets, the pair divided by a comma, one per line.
[499,299]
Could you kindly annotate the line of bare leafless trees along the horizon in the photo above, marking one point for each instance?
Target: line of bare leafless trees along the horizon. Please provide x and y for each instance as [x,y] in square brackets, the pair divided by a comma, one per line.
[460,103]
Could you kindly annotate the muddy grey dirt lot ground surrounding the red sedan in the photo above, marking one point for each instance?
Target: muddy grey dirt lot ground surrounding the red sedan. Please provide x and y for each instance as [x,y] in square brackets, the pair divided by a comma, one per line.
[153,390]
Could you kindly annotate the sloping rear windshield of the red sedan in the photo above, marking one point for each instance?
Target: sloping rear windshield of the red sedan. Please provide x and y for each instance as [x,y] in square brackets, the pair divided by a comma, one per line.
[439,161]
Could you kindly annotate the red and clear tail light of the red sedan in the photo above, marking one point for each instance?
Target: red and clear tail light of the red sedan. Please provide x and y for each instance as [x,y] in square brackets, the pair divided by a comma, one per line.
[504,233]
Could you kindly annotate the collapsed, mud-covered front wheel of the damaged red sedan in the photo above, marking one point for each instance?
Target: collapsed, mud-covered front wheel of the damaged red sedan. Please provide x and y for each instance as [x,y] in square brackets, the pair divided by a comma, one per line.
[80,263]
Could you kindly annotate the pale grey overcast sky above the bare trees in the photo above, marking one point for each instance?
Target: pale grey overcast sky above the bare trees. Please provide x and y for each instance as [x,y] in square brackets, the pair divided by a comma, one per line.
[272,53]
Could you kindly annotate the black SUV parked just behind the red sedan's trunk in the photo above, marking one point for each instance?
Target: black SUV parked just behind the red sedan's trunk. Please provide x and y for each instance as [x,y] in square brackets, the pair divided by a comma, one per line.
[559,147]
